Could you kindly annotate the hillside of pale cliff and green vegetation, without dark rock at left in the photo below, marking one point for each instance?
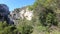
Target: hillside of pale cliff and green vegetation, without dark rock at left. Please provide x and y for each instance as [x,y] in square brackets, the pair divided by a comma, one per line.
[43,17]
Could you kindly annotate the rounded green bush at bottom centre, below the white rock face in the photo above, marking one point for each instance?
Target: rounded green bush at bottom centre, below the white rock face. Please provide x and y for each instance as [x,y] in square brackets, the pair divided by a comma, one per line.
[25,27]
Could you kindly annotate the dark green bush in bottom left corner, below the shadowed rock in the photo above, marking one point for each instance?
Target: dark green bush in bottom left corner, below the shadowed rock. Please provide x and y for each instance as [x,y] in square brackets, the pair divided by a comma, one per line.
[7,29]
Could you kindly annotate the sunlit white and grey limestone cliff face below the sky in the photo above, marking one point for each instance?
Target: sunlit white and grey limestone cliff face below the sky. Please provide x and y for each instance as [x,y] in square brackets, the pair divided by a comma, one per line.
[22,13]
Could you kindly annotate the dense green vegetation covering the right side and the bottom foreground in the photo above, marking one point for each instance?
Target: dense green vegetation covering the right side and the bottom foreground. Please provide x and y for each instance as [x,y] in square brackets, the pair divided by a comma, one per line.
[44,20]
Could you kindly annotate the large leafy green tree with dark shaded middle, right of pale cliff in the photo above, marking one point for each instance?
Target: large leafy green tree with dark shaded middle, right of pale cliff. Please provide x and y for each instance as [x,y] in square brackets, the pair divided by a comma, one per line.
[44,10]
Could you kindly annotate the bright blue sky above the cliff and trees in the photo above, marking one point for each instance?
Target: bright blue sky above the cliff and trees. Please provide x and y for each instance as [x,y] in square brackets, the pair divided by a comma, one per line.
[12,4]
